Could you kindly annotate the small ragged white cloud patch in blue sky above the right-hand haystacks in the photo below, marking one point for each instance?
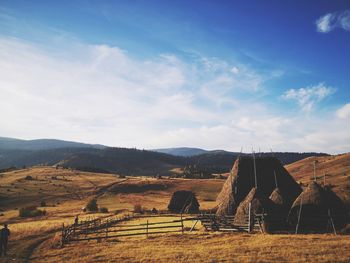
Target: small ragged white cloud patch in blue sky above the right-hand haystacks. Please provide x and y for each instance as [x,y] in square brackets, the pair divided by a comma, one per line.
[308,97]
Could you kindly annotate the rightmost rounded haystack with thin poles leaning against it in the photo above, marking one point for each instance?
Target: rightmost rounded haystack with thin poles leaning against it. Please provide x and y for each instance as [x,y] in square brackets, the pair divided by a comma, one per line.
[314,205]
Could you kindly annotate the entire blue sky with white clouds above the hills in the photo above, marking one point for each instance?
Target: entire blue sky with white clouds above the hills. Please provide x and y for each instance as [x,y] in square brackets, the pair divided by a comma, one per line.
[156,74]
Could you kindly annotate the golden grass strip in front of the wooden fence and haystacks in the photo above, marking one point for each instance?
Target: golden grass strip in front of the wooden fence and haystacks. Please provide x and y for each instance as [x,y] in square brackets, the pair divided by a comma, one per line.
[204,247]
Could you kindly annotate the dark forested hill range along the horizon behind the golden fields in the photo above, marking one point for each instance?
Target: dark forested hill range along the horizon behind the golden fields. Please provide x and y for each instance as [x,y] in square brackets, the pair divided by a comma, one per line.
[19,153]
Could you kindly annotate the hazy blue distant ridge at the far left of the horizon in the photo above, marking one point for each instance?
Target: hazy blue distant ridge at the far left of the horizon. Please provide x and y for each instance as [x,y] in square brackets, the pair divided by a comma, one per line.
[42,144]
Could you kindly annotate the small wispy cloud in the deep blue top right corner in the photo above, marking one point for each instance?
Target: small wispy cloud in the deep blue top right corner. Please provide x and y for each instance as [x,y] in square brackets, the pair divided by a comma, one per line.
[331,21]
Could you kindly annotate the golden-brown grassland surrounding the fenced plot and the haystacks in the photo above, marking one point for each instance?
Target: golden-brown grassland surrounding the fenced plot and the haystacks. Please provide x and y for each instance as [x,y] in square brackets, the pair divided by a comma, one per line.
[67,191]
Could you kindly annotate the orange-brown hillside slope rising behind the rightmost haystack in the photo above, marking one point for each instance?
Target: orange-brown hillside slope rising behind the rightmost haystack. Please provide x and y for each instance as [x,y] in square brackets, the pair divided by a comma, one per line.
[336,168]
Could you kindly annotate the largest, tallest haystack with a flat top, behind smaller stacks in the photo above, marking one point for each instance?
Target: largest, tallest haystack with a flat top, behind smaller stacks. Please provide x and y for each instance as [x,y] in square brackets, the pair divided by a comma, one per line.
[242,180]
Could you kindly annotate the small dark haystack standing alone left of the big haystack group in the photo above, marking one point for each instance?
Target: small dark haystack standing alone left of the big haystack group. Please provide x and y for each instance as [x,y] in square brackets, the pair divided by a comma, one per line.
[183,202]
